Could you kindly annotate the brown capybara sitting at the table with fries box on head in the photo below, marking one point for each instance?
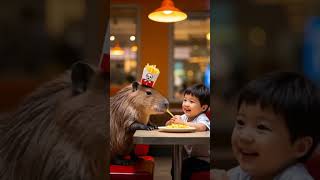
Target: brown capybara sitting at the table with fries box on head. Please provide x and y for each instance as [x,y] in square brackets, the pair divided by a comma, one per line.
[130,110]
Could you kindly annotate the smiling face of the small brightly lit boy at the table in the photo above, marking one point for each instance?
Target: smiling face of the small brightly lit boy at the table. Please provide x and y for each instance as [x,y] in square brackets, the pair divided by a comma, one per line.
[191,105]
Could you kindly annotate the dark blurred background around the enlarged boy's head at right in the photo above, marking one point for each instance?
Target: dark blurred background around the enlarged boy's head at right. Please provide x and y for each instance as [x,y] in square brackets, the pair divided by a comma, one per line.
[251,38]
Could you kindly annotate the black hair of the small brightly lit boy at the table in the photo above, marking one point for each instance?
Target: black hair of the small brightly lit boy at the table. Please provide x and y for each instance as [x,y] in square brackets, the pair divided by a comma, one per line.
[201,92]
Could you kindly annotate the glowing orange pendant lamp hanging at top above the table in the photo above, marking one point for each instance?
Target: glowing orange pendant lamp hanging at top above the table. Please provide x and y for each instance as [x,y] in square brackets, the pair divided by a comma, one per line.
[167,13]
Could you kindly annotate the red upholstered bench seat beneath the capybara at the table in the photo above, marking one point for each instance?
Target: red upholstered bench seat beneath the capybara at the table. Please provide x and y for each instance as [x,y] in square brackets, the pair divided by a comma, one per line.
[142,170]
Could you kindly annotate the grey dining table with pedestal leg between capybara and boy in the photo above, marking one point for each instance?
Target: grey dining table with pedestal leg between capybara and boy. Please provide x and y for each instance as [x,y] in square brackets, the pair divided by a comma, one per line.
[176,139]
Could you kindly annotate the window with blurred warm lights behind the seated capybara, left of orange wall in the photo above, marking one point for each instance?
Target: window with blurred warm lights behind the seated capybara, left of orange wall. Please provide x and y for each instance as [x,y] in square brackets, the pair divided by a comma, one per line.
[123,44]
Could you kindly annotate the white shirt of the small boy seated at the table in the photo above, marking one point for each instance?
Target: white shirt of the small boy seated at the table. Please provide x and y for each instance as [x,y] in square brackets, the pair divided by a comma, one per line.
[199,151]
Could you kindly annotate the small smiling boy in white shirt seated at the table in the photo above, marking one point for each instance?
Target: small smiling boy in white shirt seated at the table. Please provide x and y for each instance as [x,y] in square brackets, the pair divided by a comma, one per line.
[195,104]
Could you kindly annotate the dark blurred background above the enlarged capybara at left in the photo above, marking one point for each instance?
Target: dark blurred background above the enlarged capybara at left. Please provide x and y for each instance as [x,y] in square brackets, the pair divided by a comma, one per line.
[41,39]
